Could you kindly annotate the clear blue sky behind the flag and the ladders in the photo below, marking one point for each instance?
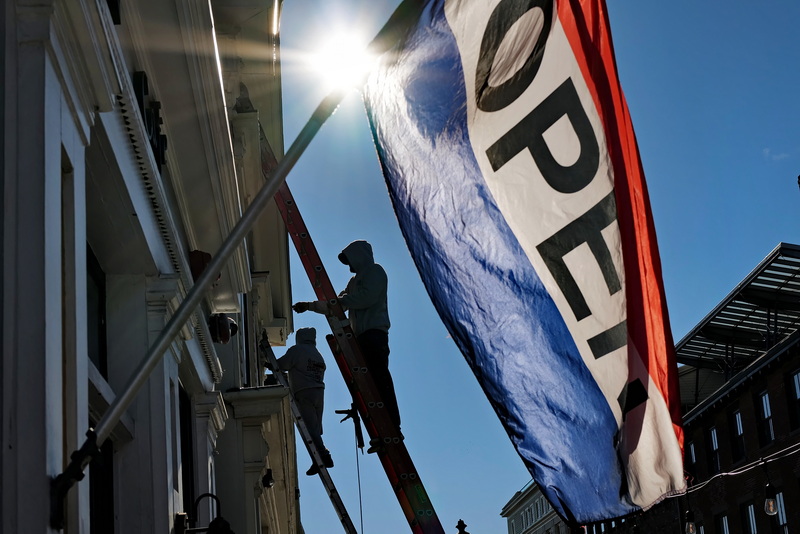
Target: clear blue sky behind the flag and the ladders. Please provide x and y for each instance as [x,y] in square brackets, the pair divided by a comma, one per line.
[714,92]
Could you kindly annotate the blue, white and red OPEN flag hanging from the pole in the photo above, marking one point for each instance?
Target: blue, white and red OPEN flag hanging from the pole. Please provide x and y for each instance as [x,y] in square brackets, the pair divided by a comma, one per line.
[512,165]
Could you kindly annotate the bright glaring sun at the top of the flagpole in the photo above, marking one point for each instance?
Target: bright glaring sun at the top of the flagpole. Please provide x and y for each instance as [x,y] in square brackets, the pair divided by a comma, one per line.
[342,61]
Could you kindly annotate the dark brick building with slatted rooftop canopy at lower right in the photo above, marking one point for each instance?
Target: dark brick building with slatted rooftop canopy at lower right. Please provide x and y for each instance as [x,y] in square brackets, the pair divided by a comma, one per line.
[740,391]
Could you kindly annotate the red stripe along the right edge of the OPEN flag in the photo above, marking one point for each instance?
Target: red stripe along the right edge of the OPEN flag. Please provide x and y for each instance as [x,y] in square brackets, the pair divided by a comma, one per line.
[586,25]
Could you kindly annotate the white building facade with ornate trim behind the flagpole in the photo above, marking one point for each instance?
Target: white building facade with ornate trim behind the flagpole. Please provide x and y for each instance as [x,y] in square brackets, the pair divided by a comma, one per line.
[130,149]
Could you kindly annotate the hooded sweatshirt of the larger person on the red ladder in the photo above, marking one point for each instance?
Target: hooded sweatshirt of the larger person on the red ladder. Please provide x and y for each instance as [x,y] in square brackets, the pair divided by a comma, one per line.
[365,295]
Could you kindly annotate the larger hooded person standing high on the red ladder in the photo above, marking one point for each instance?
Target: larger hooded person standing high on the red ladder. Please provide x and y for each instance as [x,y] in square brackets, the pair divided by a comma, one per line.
[365,301]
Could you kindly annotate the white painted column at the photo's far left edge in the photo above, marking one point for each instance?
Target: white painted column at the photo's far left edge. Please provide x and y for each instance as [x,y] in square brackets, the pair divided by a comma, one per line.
[32,430]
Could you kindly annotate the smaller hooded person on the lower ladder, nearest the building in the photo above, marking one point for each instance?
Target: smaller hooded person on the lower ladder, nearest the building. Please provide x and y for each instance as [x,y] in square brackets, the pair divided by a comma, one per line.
[305,368]
